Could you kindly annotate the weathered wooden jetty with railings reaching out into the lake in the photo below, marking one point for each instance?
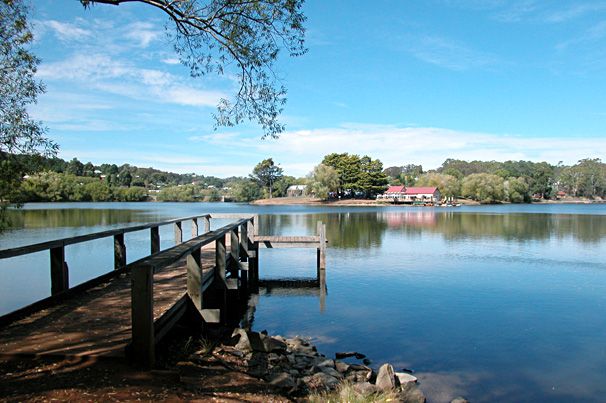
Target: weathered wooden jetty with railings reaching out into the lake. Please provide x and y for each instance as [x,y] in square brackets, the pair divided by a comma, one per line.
[127,311]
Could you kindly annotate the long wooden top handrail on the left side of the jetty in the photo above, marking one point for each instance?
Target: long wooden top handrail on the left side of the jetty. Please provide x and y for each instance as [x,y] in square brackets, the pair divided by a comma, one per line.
[57,243]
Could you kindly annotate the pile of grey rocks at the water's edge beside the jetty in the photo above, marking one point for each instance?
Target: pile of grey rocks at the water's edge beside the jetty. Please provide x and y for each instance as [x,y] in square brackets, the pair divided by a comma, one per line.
[295,368]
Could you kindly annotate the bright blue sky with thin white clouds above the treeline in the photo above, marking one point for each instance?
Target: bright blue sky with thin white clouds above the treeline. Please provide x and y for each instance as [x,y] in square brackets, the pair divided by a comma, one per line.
[402,81]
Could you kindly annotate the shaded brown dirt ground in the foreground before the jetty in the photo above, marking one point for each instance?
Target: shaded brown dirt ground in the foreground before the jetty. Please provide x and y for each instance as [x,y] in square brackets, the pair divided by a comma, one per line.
[104,380]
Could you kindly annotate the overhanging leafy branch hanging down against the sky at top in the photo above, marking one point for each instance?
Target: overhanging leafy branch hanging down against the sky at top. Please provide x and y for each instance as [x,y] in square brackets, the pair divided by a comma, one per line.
[220,36]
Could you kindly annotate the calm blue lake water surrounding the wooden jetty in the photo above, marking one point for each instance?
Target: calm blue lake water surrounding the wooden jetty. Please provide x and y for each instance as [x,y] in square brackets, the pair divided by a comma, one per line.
[495,303]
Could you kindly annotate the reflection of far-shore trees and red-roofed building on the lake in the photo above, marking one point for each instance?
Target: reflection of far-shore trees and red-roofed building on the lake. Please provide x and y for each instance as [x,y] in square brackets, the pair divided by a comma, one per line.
[366,230]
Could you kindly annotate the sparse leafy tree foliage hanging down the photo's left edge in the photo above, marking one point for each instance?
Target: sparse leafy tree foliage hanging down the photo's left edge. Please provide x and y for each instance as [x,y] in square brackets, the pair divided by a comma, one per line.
[19,133]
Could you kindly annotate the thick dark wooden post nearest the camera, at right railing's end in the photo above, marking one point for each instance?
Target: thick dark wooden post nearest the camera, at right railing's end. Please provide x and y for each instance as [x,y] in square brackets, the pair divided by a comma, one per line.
[142,315]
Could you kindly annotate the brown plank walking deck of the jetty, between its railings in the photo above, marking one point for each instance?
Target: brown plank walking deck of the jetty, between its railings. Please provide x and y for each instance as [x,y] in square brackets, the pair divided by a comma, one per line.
[97,322]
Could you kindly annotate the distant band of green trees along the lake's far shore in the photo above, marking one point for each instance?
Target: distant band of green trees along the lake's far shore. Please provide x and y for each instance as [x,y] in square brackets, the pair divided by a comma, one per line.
[338,175]
